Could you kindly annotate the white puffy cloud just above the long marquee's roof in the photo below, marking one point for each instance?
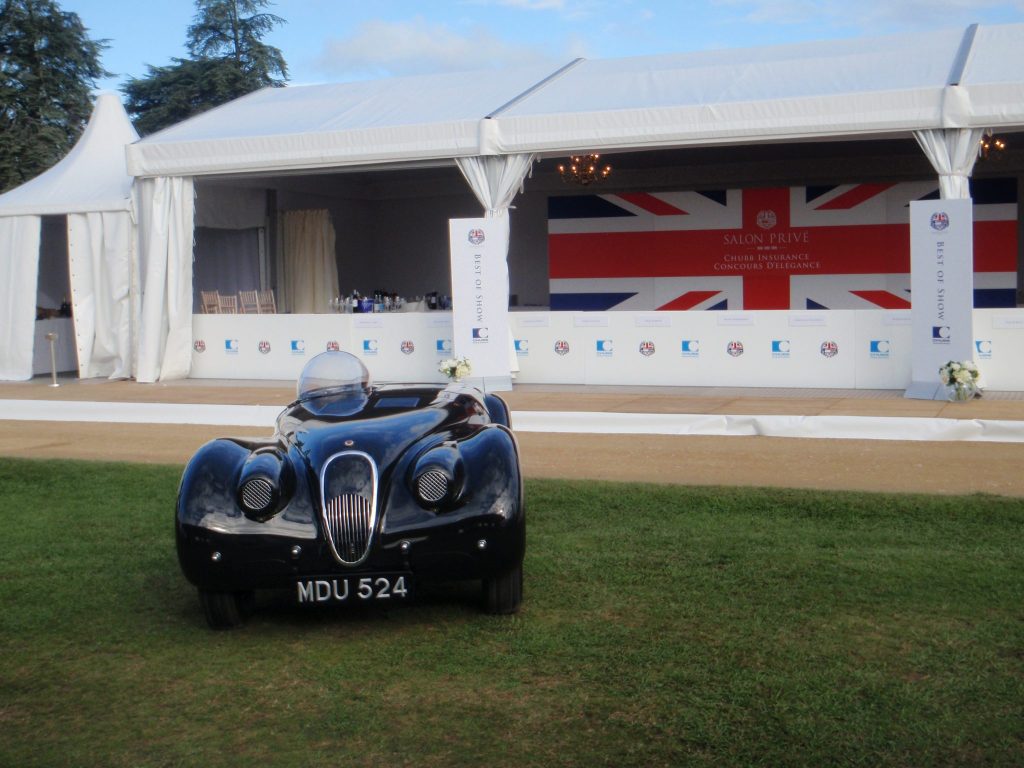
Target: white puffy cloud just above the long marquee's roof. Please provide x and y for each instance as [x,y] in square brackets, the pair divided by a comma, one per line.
[381,49]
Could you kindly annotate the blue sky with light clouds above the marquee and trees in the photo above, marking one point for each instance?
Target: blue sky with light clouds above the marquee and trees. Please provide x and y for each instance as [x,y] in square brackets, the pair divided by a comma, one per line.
[339,40]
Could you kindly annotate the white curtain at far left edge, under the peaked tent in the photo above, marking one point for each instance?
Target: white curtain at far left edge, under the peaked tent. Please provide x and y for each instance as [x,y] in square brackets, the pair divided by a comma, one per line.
[20,266]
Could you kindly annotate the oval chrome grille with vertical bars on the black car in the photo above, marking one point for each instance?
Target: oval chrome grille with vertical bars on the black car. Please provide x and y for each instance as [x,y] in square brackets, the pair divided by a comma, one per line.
[349,495]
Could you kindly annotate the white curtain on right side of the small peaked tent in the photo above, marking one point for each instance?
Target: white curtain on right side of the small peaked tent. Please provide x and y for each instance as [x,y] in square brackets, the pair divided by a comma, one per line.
[101,249]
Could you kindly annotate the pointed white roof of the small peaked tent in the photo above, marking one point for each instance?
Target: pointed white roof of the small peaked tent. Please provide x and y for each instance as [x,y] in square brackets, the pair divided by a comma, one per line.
[92,178]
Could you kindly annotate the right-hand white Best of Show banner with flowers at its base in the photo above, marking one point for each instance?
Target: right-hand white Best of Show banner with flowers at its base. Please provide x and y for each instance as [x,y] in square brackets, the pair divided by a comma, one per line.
[942,291]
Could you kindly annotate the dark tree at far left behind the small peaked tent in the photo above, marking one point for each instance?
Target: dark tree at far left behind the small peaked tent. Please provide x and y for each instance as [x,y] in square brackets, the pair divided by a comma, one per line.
[49,68]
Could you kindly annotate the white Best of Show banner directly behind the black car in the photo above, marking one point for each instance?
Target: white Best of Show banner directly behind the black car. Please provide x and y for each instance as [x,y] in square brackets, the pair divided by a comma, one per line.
[481,297]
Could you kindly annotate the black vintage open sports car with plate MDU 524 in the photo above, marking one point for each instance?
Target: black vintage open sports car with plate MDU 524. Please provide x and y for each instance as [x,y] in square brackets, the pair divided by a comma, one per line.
[362,493]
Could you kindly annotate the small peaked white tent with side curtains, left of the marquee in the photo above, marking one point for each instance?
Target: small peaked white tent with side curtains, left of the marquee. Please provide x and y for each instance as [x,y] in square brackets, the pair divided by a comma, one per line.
[93,189]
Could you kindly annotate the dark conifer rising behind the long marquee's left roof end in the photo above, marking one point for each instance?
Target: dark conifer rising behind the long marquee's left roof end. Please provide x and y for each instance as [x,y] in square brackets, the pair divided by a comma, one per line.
[230,60]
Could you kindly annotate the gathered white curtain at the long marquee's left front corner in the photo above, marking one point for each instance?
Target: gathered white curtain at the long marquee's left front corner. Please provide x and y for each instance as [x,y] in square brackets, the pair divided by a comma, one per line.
[166,208]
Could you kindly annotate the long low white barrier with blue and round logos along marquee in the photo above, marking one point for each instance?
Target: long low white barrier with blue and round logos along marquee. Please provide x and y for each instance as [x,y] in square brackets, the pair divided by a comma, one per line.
[844,350]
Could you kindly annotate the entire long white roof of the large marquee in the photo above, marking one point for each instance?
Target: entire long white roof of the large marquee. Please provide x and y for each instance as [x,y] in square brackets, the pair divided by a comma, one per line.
[865,88]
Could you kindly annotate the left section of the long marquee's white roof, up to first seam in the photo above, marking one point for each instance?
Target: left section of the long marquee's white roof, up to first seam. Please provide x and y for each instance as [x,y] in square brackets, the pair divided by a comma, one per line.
[315,126]
